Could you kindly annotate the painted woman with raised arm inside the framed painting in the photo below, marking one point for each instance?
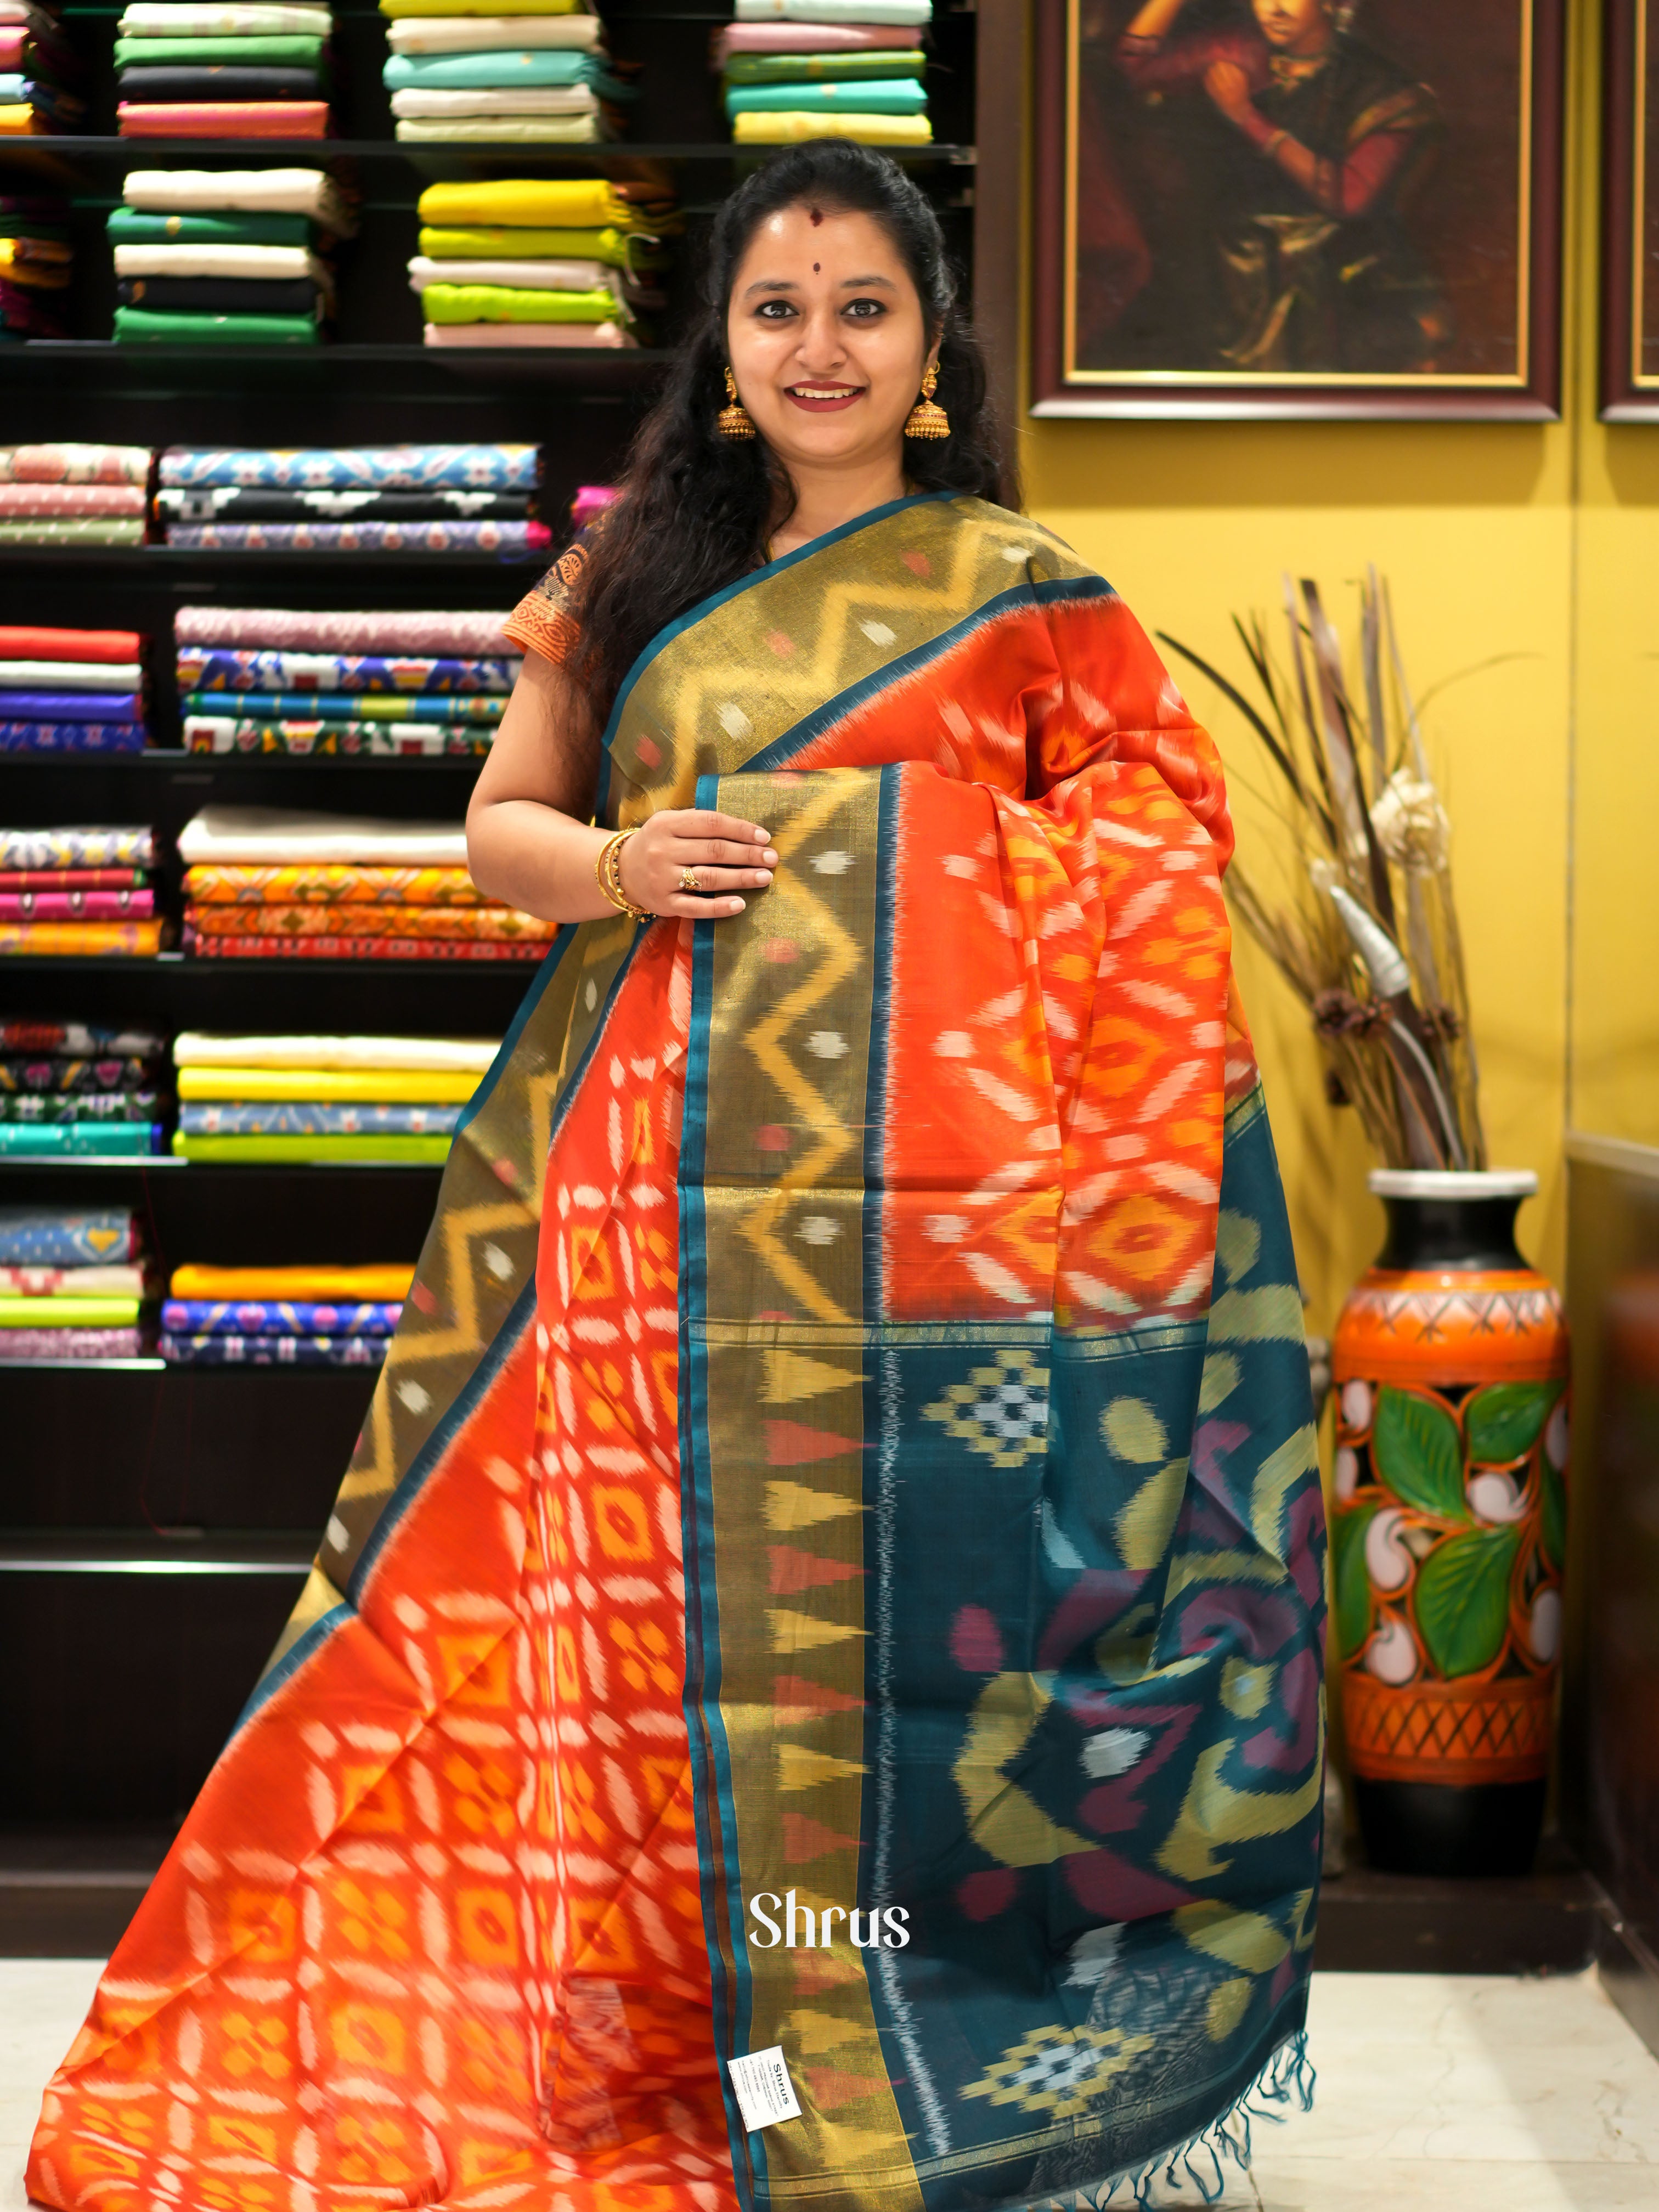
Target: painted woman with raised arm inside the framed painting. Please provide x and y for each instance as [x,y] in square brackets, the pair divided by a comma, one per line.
[1324,145]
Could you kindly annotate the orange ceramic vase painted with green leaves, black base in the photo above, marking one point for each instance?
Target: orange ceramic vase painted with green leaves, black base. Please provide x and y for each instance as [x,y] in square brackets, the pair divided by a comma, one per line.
[1450,1527]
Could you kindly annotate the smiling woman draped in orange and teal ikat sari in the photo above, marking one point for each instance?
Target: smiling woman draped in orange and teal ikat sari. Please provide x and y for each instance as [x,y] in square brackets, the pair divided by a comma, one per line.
[826,1572]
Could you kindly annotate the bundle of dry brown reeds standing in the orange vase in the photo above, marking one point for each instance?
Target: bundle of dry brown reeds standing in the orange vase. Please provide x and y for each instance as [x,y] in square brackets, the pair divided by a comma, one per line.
[1366,928]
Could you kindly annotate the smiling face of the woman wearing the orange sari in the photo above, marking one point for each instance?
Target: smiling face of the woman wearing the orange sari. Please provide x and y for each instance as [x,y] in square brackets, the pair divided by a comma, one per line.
[826,340]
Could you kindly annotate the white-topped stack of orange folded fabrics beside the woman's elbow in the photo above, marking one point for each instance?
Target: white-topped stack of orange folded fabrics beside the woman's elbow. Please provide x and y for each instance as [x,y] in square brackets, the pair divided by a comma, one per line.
[264,884]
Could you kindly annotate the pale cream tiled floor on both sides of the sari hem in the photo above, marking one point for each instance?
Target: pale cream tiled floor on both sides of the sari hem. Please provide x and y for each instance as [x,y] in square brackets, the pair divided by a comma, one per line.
[1459,2094]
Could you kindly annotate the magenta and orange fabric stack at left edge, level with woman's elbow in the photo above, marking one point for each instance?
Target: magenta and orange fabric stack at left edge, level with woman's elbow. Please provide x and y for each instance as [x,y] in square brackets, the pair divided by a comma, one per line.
[79,866]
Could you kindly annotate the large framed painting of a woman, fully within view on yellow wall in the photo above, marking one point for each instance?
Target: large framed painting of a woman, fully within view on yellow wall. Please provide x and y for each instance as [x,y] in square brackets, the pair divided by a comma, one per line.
[1300,209]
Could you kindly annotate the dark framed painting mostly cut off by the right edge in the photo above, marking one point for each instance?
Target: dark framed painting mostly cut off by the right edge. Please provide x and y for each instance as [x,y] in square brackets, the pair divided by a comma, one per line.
[1631,216]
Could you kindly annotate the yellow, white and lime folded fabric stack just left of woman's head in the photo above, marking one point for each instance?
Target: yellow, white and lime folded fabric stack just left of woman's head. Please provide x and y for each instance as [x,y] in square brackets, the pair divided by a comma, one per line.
[541,262]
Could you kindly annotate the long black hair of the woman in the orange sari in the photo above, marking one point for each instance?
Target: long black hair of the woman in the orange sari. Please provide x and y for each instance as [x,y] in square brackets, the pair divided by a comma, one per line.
[696,508]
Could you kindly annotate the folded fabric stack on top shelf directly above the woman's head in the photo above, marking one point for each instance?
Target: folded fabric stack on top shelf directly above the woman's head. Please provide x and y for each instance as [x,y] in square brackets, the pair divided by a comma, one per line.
[797,70]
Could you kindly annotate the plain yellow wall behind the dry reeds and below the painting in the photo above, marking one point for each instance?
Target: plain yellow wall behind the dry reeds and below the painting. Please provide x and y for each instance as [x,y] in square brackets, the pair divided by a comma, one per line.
[1532,541]
